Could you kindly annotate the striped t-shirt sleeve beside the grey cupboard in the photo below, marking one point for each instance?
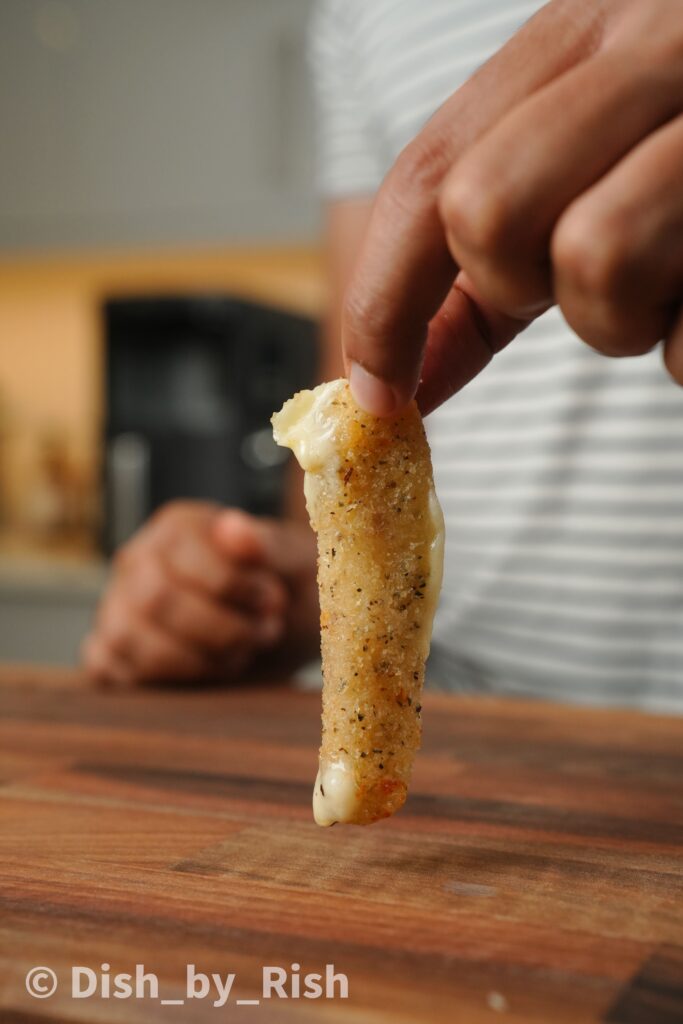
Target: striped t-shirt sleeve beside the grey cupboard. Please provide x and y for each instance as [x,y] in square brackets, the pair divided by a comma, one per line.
[348,163]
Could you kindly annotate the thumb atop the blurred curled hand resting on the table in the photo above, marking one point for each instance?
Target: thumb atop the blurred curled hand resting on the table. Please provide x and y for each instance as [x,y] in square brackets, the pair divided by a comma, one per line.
[288,549]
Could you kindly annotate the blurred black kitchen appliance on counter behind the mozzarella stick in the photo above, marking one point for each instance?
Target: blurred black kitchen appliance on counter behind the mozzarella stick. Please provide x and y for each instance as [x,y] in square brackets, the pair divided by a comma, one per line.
[191,386]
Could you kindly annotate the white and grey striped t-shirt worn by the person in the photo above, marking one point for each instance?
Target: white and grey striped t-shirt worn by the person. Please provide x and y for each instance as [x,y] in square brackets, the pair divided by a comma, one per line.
[561,472]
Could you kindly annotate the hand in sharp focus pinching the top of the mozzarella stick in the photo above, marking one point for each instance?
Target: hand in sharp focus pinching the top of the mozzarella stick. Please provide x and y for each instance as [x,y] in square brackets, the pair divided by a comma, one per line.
[554,176]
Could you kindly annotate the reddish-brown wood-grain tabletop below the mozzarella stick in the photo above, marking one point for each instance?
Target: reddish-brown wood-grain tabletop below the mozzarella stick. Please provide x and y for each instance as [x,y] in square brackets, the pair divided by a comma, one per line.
[535,875]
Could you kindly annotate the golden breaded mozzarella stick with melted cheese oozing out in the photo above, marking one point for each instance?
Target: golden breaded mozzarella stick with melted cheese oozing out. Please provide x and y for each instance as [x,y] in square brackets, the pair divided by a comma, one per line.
[371,500]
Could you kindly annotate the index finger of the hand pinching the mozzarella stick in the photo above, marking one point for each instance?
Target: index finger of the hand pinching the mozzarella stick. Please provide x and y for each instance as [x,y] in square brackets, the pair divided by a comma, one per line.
[406,272]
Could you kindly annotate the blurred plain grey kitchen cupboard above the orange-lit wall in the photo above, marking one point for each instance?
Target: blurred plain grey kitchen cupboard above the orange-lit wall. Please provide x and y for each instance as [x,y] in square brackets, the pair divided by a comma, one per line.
[146,122]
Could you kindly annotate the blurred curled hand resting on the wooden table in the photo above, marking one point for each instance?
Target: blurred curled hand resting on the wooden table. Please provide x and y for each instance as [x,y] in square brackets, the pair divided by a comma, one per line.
[203,594]
